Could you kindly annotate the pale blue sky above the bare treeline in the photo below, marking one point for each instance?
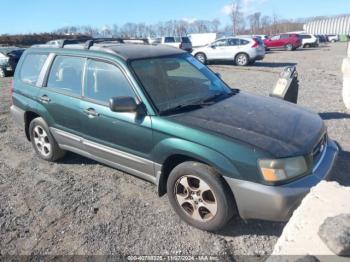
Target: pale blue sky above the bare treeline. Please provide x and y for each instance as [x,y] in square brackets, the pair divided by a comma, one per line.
[22,16]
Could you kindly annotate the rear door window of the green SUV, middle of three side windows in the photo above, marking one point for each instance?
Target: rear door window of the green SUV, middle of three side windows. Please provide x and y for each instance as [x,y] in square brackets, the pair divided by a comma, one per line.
[66,74]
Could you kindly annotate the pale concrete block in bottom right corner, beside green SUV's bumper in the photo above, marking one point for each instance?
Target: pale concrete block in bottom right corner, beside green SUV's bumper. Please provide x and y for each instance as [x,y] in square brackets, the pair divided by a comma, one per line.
[301,234]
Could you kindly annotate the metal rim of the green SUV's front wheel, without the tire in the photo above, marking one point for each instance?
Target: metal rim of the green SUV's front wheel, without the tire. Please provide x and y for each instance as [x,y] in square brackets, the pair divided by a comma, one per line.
[196,198]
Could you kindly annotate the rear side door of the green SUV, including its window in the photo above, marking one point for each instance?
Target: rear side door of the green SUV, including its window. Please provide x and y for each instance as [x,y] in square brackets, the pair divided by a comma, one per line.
[61,94]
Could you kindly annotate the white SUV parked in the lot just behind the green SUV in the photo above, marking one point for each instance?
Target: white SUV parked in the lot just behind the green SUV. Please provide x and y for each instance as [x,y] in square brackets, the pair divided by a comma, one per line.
[241,50]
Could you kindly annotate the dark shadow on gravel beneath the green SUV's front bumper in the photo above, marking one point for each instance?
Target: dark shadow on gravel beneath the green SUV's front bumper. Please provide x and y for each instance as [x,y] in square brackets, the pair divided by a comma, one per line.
[239,227]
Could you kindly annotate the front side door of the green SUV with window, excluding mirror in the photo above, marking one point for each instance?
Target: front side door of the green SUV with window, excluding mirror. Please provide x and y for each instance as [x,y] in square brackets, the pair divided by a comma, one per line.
[124,139]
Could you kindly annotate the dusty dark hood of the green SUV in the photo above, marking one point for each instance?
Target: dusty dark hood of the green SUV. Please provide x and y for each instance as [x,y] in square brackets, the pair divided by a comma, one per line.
[280,128]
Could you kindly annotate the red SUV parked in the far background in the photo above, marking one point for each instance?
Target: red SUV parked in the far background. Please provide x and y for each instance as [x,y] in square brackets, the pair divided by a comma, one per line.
[287,41]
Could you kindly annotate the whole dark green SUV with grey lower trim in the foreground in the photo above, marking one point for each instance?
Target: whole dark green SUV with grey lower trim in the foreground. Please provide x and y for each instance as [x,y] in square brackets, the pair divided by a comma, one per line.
[132,108]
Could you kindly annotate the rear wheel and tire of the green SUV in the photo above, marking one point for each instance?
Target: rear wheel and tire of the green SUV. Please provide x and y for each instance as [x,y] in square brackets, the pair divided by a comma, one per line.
[43,142]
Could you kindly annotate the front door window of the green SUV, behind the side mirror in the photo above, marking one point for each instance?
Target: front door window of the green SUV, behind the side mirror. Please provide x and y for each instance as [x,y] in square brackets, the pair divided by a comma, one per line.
[104,81]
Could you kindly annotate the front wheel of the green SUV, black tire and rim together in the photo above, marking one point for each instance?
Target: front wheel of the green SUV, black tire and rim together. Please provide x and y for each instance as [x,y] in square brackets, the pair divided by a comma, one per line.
[209,209]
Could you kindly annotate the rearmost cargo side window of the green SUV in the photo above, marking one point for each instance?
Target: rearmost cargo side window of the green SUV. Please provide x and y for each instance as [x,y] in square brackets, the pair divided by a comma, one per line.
[31,68]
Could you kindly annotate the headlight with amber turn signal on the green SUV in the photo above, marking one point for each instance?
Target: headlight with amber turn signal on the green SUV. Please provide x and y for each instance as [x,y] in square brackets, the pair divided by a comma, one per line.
[274,170]
